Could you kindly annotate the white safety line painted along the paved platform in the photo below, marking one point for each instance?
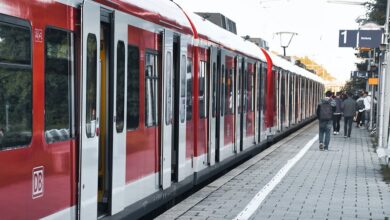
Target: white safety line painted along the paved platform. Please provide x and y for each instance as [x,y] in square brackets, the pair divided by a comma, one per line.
[255,203]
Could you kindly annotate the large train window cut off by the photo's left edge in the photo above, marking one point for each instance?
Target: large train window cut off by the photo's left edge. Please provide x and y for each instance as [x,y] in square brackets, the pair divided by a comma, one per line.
[15,85]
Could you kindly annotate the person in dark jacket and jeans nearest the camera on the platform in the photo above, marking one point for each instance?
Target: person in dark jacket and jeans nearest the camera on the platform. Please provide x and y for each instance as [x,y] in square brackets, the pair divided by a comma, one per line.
[325,111]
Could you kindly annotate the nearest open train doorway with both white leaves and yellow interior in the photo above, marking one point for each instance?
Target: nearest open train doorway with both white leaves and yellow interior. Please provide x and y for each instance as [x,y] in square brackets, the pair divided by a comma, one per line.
[102,137]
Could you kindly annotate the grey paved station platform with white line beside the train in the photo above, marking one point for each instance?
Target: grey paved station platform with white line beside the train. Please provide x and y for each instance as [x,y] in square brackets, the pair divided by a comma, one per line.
[346,182]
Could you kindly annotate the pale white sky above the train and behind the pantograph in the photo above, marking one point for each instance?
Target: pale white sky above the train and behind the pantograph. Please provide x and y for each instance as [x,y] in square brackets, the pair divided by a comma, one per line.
[316,22]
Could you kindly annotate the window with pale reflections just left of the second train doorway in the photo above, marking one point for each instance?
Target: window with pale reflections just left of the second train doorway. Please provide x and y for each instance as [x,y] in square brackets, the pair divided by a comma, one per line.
[151,89]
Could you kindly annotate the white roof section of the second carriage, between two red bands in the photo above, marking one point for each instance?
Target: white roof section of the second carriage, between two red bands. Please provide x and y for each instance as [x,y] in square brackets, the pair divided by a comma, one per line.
[216,34]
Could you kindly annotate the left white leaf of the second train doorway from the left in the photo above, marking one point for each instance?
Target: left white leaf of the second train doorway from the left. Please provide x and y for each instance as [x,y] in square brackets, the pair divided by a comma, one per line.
[166,110]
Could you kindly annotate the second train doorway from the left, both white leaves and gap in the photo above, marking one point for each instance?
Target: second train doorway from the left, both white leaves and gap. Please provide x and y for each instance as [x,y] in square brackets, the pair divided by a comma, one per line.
[173,108]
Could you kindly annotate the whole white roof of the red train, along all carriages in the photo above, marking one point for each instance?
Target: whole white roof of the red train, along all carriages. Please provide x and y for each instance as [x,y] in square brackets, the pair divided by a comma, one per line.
[169,13]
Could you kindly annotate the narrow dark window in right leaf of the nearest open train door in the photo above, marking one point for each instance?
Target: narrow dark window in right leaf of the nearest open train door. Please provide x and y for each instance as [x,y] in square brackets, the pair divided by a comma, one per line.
[120,86]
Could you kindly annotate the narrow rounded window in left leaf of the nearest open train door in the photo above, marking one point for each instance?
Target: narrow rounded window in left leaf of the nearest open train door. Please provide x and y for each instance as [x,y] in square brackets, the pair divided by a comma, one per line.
[91,85]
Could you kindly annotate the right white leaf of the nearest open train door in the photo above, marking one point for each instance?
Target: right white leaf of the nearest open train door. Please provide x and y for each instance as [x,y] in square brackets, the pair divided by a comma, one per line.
[119,83]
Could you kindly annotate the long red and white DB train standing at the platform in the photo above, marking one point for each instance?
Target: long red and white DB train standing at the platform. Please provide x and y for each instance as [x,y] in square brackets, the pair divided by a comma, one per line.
[111,107]
